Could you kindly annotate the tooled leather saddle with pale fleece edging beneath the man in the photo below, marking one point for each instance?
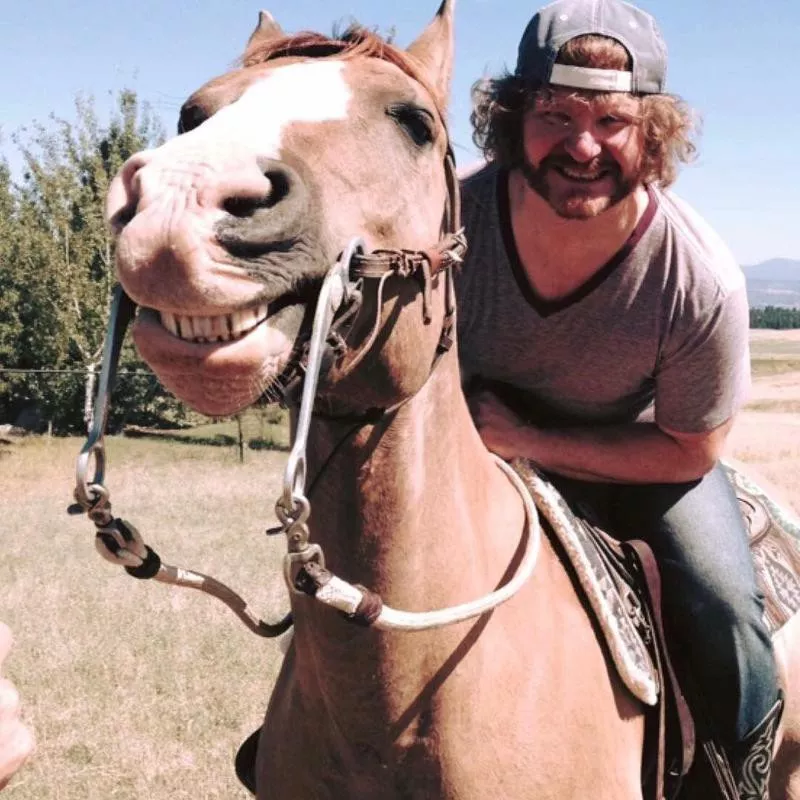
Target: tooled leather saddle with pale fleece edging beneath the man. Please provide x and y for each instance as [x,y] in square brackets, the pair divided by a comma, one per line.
[619,585]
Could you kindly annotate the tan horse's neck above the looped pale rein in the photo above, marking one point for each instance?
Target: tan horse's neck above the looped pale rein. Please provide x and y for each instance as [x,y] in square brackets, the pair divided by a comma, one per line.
[415,491]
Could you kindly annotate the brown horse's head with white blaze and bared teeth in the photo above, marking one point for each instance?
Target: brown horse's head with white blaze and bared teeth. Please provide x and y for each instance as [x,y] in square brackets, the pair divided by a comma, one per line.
[225,232]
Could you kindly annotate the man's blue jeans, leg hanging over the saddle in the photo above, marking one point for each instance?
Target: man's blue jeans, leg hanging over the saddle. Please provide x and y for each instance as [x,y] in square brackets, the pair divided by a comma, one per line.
[712,606]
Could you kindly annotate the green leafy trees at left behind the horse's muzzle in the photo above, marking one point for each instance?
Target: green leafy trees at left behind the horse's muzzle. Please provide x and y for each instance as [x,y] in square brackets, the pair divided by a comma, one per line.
[56,267]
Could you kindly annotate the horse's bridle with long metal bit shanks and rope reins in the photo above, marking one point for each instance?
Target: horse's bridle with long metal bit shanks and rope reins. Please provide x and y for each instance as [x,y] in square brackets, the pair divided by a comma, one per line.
[338,305]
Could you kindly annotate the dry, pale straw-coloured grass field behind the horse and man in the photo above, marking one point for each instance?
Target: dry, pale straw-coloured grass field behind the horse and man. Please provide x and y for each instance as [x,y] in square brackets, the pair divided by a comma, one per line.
[139,691]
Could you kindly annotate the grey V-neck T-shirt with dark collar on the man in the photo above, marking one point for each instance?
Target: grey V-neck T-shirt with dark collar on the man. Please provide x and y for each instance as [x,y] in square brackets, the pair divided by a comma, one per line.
[664,324]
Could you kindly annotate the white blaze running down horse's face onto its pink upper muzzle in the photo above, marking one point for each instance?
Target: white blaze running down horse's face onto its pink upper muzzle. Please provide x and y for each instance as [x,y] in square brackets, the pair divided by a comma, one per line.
[180,189]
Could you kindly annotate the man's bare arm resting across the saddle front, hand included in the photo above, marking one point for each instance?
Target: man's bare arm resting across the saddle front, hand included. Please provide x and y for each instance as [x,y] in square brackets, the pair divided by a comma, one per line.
[638,452]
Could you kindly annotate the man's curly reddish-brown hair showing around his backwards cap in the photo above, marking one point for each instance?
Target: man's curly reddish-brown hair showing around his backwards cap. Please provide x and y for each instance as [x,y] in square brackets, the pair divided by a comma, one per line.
[500,104]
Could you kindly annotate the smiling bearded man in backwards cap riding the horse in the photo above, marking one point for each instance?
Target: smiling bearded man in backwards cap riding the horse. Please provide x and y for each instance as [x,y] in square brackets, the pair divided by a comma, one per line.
[611,325]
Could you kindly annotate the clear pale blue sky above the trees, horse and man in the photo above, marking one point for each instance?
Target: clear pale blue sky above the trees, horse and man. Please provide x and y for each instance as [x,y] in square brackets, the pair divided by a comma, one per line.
[734,62]
